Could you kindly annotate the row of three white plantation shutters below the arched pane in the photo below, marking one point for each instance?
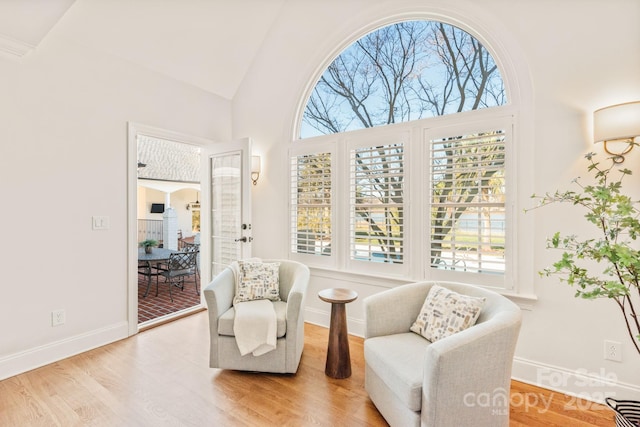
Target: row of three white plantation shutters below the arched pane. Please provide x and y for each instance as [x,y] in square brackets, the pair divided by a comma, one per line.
[415,201]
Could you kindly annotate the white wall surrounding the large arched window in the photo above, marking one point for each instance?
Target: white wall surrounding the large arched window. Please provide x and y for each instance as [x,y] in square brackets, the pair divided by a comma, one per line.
[572,57]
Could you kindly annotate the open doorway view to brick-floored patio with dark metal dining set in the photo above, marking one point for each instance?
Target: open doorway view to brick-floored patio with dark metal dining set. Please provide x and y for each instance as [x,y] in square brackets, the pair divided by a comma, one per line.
[167,225]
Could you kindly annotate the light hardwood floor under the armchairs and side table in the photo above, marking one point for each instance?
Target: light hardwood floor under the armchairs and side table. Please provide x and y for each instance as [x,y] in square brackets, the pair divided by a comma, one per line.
[161,377]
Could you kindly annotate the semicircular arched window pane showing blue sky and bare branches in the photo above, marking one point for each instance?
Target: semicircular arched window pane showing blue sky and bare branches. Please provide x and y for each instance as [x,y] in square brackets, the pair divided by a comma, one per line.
[405,71]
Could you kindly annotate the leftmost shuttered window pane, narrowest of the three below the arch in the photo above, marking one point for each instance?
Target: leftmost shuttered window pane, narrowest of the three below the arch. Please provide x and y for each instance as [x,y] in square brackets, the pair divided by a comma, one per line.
[311,204]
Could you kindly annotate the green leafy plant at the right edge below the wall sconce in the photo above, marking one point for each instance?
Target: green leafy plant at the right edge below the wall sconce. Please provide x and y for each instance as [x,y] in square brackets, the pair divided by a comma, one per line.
[617,218]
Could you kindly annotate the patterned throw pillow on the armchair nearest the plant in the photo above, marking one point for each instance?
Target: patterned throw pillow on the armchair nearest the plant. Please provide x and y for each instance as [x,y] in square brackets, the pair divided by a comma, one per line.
[446,312]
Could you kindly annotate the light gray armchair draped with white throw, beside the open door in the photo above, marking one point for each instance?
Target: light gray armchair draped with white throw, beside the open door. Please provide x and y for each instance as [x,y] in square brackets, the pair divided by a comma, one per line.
[224,352]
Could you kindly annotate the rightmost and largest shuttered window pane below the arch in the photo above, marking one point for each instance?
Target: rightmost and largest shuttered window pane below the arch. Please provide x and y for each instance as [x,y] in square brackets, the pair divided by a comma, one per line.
[468,203]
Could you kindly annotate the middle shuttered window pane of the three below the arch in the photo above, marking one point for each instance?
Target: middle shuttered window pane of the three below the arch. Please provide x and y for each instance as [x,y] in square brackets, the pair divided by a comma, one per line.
[376,199]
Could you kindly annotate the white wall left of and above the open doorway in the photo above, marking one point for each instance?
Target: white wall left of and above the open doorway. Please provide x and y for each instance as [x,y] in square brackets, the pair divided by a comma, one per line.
[63,159]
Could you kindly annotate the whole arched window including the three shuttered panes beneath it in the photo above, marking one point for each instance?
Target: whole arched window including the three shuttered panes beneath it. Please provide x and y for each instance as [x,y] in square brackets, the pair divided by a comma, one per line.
[402,163]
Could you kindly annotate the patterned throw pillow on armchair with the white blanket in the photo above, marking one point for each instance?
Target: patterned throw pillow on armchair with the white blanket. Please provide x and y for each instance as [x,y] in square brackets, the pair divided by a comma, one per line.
[257,280]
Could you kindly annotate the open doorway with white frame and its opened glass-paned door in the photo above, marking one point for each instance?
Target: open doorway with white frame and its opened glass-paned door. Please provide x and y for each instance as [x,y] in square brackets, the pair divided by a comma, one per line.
[224,179]
